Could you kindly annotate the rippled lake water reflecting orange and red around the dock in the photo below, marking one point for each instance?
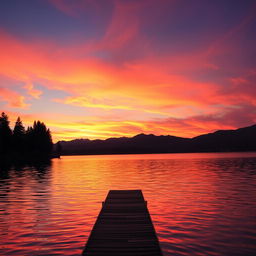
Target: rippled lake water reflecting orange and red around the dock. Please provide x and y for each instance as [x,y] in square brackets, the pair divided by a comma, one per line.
[201,204]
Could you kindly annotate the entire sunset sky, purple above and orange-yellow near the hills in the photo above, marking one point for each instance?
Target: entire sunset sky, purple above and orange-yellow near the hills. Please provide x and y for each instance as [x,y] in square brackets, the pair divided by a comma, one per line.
[112,68]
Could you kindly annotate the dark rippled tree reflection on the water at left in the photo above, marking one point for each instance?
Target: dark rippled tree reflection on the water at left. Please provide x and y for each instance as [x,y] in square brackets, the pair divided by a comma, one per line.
[24,200]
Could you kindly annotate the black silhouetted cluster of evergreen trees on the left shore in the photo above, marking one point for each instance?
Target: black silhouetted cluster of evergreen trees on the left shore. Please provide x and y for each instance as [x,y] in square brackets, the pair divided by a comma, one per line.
[35,142]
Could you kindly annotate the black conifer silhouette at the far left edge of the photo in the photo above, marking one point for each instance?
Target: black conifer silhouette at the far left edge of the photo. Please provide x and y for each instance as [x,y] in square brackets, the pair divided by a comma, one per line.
[5,134]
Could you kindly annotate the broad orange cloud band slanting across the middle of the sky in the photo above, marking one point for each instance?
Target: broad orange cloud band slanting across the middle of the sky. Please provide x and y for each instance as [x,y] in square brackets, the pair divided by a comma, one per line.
[143,84]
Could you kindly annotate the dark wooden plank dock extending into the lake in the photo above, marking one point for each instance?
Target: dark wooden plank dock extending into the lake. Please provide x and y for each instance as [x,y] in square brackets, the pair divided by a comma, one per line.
[123,227]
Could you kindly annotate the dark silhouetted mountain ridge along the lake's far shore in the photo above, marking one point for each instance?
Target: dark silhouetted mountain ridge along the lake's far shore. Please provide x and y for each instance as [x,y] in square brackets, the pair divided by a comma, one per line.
[243,139]
